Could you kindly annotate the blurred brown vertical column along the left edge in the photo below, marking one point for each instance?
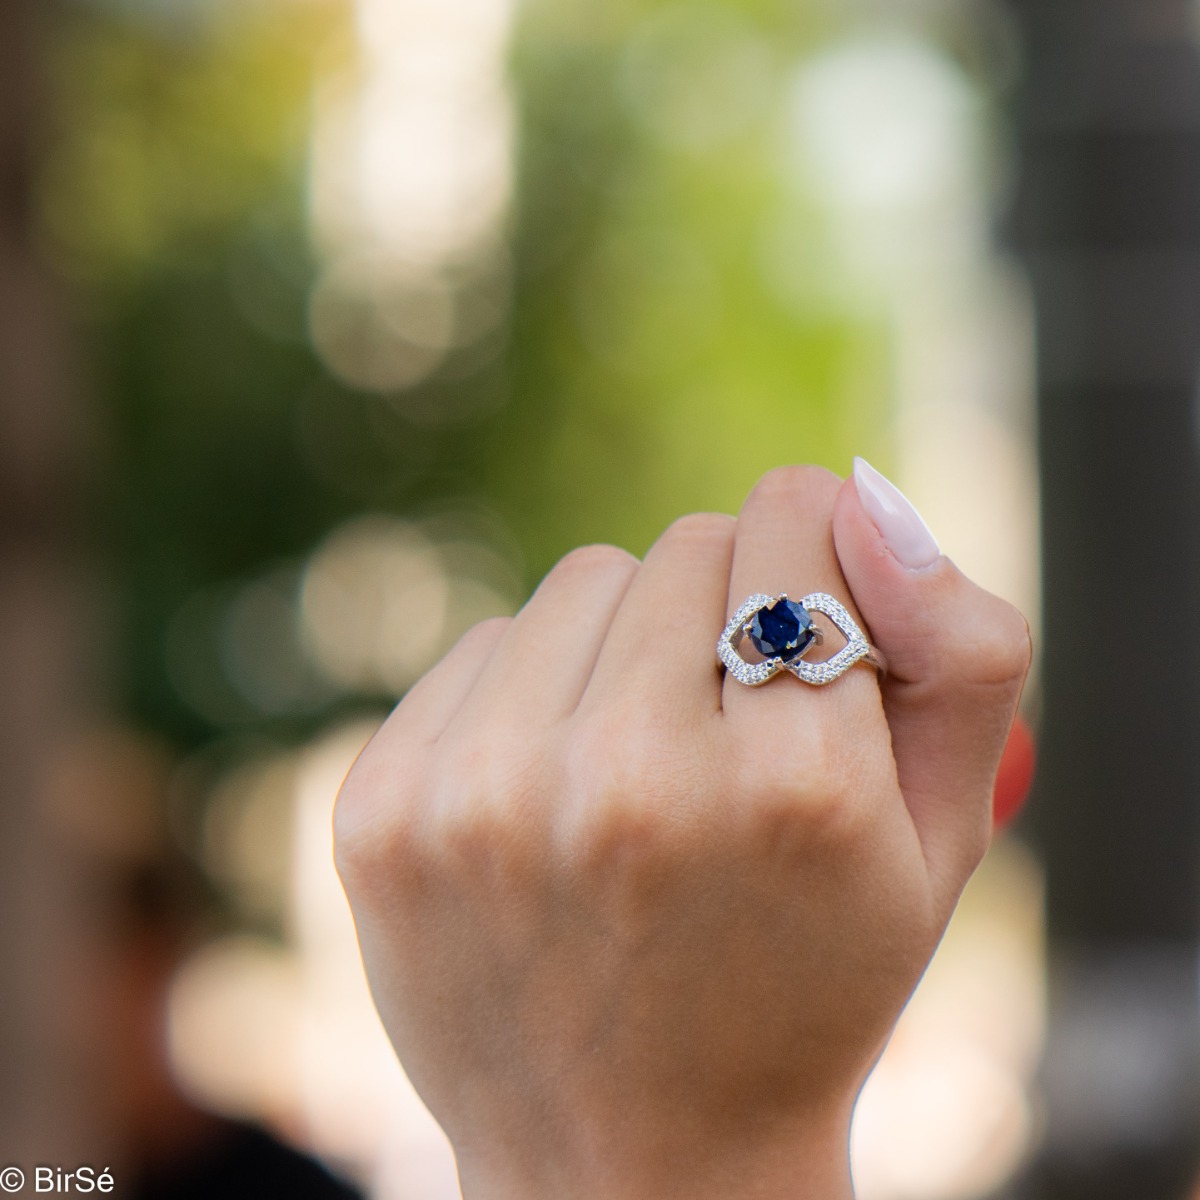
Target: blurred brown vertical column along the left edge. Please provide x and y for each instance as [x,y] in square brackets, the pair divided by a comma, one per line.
[41,639]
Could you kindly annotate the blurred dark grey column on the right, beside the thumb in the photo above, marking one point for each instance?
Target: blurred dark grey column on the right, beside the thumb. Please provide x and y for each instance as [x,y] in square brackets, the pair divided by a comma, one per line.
[1108,220]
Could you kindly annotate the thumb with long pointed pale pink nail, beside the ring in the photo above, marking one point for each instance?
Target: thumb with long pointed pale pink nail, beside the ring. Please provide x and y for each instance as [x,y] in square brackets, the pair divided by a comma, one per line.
[957,659]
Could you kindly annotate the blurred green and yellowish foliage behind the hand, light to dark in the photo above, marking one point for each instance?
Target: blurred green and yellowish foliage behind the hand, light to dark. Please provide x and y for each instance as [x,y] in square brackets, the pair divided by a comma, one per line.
[651,368]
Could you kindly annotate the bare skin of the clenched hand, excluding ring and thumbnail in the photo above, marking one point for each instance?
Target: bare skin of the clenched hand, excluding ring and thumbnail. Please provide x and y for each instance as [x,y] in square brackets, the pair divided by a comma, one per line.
[638,932]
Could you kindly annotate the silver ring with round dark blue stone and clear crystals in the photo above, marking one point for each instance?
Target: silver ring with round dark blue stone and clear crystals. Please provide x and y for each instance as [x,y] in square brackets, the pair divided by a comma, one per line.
[783,632]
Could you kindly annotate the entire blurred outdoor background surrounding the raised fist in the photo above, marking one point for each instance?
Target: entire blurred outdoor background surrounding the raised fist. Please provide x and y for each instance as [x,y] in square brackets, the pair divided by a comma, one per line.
[328,326]
